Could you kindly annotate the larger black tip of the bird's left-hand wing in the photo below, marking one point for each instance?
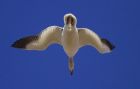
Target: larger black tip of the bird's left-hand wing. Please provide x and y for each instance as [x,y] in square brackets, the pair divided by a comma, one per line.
[22,43]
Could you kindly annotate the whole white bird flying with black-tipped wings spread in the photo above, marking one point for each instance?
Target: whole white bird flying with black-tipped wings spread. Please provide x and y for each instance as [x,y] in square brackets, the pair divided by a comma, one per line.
[69,37]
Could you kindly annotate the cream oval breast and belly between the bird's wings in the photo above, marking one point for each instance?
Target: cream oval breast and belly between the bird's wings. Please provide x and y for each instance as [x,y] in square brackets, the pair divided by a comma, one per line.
[70,41]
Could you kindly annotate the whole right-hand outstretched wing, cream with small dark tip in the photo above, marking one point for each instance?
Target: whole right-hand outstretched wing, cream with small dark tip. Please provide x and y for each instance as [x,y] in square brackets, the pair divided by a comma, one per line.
[88,37]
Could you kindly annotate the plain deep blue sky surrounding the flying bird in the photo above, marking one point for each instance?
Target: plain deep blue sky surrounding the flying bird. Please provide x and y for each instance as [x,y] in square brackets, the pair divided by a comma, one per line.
[116,20]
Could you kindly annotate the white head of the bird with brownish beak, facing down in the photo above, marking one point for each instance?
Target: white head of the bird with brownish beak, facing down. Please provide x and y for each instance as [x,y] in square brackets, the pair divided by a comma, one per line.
[70,19]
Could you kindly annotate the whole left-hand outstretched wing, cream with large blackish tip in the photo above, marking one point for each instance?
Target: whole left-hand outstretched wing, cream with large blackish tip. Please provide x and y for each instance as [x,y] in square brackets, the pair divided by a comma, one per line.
[47,37]
